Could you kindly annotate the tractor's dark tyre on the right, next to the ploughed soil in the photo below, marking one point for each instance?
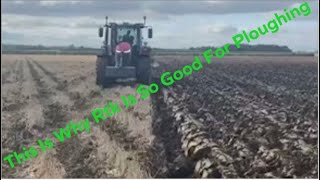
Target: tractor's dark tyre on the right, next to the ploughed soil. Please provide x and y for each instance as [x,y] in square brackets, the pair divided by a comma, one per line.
[144,74]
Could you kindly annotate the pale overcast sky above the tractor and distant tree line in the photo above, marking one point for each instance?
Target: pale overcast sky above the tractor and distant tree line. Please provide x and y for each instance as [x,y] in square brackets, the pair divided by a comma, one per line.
[176,24]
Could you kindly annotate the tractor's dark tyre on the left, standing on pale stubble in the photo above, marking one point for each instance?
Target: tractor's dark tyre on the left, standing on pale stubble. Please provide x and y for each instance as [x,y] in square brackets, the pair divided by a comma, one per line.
[100,70]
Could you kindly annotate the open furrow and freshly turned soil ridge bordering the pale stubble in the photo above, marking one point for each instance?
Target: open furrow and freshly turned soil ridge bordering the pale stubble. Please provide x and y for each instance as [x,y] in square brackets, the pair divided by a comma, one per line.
[191,152]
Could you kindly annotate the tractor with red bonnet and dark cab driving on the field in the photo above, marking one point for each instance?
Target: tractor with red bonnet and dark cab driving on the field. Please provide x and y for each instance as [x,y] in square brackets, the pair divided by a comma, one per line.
[123,54]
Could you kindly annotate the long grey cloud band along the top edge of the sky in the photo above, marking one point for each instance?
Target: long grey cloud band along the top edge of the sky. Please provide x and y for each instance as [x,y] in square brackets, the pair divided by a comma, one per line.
[158,8]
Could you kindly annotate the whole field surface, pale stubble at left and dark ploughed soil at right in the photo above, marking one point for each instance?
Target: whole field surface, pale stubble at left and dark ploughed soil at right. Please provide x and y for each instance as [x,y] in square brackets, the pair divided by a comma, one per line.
[237,117]
